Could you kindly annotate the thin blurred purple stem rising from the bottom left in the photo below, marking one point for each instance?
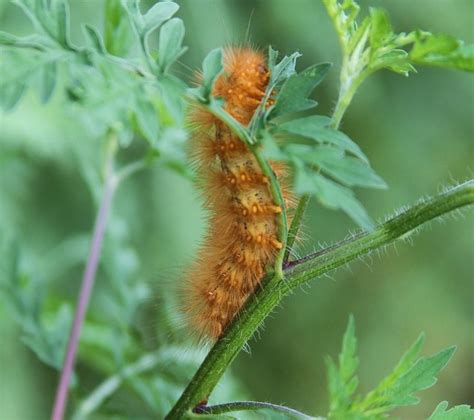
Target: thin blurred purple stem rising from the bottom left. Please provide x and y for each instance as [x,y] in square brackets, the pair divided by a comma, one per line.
[84,297]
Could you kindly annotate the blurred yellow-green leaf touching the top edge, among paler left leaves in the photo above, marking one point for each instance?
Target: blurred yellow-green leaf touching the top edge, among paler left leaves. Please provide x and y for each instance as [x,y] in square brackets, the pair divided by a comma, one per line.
[118,33]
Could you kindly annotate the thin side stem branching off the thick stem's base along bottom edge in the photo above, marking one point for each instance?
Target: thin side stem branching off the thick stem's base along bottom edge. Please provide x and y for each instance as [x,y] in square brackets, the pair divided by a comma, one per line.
[253,405]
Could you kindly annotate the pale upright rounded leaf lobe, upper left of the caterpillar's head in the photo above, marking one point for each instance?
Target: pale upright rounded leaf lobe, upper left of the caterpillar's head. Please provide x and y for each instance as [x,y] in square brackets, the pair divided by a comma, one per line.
[171,43]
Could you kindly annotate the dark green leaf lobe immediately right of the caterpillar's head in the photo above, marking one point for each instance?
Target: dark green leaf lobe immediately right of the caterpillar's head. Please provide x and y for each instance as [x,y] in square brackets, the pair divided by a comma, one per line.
[293,96]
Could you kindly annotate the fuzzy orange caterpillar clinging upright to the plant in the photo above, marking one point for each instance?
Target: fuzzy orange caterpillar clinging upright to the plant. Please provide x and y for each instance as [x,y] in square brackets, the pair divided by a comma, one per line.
[242,238]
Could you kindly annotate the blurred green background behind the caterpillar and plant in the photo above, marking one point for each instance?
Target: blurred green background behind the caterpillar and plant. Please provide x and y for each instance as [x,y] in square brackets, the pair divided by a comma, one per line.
[418,133]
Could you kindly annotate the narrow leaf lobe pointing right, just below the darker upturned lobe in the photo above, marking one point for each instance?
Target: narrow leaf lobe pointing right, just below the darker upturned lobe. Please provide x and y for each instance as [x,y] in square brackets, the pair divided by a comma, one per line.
[316,127]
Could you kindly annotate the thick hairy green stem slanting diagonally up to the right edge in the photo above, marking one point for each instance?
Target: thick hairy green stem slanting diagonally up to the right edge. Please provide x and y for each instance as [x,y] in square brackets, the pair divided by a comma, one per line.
[261,303]
